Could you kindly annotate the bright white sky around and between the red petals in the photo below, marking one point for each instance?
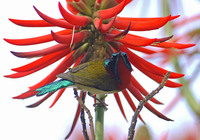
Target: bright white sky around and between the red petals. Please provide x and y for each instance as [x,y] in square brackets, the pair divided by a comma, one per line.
[19,122]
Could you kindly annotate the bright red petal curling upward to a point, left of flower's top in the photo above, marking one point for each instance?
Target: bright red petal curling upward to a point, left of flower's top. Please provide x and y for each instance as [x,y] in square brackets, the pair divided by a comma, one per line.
[74,19]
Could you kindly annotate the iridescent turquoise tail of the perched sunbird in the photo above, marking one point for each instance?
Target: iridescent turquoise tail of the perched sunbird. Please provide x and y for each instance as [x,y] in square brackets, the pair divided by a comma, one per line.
[54,86]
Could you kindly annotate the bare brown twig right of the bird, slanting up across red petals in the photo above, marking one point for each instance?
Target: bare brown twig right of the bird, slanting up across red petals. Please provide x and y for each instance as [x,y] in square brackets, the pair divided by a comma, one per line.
[141,104]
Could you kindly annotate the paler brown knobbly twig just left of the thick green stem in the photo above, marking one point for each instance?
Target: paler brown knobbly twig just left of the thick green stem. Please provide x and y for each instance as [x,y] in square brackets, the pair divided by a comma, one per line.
[88,112]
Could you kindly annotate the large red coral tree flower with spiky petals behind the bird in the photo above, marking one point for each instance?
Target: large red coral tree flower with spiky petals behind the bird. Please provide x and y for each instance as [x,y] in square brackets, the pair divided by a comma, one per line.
[93,30]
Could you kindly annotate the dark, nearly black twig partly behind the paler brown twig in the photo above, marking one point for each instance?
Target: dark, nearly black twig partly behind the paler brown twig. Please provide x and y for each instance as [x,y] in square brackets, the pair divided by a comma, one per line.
[82,116]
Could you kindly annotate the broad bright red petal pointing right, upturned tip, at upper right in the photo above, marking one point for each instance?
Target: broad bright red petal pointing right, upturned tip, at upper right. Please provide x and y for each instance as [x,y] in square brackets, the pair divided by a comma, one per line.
[142,25]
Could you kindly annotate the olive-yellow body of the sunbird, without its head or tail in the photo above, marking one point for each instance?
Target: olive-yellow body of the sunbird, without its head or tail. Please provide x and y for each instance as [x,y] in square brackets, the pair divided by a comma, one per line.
[91,76]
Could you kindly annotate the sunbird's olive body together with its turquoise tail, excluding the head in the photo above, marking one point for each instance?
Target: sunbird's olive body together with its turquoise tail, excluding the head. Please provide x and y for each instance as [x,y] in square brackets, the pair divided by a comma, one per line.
[91,76]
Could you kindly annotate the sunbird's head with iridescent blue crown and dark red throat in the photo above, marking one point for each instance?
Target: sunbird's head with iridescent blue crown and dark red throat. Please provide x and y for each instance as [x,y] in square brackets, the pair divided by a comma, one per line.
[117,64]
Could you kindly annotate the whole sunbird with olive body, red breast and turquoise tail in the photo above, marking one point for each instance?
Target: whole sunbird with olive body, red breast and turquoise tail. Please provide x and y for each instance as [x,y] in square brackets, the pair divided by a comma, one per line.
[100,76]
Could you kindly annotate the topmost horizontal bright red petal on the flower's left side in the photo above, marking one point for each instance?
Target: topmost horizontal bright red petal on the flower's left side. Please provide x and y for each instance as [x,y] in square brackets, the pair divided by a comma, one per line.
[30,23]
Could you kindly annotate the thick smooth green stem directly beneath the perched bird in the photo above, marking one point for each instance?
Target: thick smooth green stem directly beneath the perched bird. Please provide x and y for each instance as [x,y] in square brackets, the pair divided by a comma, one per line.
[99,119]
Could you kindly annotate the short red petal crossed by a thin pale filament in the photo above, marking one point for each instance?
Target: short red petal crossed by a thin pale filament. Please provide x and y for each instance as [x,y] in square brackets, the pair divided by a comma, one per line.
[67,39]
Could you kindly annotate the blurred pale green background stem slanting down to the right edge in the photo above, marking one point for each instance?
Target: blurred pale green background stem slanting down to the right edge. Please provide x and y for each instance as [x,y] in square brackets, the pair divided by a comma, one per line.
[185,90]
